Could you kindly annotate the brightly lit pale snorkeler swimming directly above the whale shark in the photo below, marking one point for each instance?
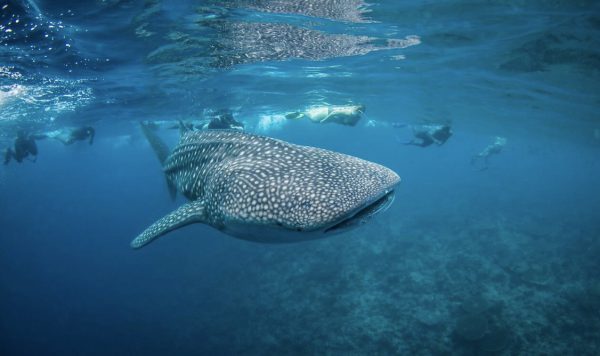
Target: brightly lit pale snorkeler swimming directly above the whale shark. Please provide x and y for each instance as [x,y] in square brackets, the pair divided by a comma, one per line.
[345,115]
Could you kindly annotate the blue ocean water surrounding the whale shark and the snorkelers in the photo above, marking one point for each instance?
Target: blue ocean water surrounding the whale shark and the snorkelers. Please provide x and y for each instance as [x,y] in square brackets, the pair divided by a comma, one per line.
[469,260]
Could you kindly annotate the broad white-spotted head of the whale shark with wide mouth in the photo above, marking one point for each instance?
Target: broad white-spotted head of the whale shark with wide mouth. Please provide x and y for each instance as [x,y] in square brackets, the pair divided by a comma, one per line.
[298,193]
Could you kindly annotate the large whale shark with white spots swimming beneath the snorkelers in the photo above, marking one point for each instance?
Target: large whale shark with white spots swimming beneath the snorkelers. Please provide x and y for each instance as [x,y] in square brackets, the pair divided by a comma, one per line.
[267,190]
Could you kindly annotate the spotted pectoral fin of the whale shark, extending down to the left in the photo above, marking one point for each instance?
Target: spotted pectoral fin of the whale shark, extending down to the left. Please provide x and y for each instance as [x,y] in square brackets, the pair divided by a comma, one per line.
[189,213]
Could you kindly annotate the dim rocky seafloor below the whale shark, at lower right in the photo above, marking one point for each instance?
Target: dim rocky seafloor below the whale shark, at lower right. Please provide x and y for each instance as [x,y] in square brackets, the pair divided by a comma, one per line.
[489,286]
